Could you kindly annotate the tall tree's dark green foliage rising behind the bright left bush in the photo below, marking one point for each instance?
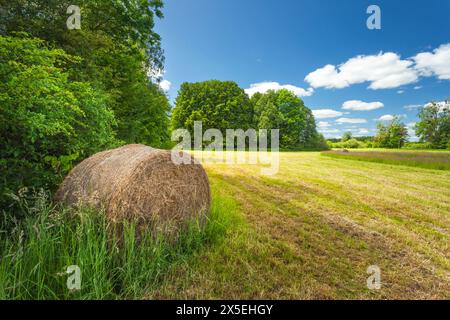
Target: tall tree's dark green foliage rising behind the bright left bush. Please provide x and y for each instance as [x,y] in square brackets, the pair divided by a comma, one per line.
[119,50]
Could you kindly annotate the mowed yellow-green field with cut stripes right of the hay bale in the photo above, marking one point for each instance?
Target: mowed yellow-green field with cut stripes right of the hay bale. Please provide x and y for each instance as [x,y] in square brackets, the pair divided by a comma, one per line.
[312,230]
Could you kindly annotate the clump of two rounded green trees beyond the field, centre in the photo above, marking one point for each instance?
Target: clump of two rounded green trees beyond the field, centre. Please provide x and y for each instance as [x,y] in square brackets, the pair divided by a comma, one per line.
[224,105]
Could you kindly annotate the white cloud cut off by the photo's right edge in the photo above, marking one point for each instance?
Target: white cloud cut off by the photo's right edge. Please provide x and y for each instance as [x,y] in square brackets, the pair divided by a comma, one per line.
[434,63]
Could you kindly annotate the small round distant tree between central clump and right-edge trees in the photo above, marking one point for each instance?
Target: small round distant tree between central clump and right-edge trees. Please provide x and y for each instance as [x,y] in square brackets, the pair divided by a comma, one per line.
[393,134]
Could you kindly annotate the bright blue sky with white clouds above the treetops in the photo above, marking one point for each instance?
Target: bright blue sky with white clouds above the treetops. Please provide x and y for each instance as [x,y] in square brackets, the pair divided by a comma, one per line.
[320,49]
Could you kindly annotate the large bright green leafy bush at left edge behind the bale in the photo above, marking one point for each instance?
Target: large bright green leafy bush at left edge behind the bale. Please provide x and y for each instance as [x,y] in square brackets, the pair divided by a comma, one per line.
[47,122]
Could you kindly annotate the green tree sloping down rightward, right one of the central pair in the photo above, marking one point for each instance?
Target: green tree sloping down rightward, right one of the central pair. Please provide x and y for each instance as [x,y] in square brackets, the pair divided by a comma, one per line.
[285,111]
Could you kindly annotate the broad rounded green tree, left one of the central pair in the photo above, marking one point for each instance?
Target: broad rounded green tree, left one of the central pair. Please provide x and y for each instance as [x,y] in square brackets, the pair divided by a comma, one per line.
[218,104]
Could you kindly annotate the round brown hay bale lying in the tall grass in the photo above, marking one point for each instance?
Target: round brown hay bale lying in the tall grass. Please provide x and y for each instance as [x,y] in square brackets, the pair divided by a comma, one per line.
[136,182]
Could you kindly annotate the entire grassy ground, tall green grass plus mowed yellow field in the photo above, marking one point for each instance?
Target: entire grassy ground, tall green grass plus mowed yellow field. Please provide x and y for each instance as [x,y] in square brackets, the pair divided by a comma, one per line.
[309,232]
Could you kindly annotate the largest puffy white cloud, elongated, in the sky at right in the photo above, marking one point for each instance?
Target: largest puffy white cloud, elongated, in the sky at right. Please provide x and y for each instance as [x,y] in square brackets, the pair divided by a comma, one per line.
[383,71]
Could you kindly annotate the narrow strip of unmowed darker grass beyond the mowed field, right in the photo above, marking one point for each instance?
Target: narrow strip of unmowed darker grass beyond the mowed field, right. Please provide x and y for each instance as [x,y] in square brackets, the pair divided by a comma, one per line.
[424,159]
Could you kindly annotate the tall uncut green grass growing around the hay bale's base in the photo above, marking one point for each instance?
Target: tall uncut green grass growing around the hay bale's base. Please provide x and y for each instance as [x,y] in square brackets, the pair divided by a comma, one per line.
[36,251]
